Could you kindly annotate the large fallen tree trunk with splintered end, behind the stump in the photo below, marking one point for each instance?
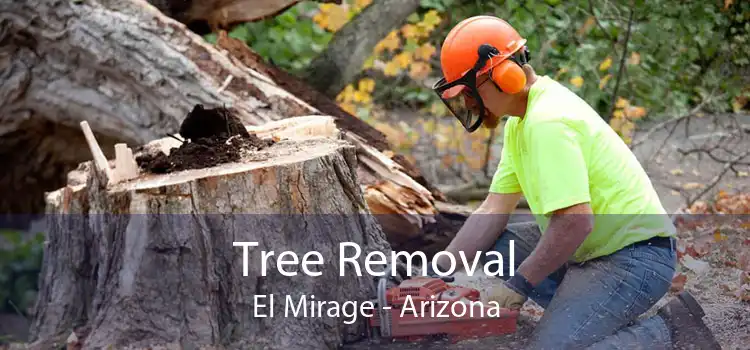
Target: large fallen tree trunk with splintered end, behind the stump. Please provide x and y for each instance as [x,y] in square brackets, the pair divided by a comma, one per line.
[133,74]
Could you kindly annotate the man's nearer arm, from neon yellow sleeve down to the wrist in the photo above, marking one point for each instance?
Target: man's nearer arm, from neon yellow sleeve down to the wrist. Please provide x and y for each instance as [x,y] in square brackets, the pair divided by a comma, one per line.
[562,172]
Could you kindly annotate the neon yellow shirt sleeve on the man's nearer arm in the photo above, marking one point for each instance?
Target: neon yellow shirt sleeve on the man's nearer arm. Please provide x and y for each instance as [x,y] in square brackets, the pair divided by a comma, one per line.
[558,165]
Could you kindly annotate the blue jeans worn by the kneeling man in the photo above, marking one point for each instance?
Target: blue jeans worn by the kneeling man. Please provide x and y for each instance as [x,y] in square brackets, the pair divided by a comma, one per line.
[596,304]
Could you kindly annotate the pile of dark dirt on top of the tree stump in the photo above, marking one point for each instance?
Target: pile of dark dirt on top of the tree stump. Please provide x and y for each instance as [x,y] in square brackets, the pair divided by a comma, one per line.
[212,137]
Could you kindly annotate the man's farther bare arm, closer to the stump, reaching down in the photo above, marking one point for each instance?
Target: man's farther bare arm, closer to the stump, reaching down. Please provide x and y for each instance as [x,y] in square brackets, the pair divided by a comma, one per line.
[482,228]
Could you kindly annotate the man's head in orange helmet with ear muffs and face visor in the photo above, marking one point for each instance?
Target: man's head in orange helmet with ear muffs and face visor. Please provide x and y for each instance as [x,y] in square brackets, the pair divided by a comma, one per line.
[485,71]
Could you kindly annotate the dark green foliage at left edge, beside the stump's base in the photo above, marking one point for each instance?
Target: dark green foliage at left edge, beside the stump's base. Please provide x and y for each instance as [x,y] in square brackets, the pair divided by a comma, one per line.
[20,263]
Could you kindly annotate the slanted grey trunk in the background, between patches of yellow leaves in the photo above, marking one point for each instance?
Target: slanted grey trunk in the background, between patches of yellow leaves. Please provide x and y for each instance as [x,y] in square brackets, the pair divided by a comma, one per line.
[344,56]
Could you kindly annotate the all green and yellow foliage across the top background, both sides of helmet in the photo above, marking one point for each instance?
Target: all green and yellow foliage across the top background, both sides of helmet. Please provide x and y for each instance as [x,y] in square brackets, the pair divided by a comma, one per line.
[676,55]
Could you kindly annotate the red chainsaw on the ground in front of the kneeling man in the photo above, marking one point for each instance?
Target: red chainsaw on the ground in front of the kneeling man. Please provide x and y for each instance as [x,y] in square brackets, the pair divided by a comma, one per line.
[425,307]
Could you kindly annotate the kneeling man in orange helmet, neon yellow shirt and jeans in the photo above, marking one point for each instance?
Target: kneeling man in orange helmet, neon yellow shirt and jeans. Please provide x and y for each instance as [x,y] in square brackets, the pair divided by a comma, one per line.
[602,251]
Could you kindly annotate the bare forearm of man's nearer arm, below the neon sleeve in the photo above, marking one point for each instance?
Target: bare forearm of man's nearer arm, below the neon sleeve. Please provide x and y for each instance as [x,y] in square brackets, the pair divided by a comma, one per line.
[567,229]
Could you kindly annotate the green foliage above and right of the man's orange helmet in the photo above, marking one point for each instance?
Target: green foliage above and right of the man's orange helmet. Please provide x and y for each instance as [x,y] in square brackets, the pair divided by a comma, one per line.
[677,53]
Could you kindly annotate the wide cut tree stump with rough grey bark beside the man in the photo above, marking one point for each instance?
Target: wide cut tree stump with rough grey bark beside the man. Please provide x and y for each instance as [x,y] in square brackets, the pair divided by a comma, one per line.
[151,260]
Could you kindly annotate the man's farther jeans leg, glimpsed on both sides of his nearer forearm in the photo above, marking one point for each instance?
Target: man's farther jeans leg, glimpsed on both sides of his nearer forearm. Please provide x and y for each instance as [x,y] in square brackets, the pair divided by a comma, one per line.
[525,236]
